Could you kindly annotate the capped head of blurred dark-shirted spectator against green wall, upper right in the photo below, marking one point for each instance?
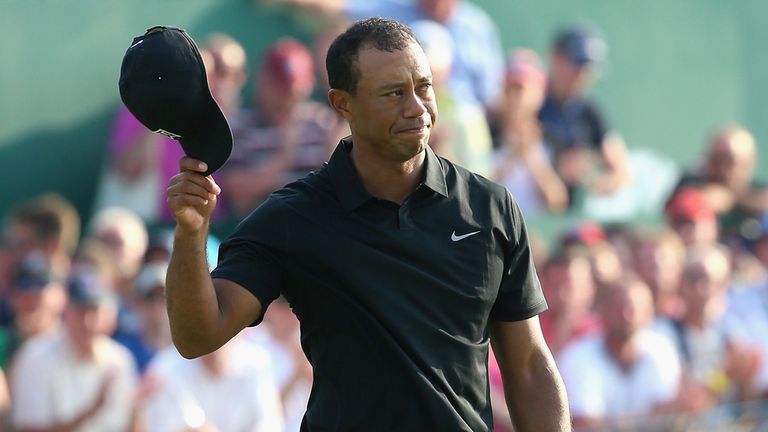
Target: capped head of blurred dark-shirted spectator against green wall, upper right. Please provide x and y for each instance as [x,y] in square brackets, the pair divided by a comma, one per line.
[577,52]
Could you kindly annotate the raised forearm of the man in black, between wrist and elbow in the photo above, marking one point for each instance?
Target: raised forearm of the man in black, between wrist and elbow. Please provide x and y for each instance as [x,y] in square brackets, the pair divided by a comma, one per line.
[191,300]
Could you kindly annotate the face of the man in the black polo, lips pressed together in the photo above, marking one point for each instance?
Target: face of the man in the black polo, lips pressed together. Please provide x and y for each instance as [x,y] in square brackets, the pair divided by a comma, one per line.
[394,107]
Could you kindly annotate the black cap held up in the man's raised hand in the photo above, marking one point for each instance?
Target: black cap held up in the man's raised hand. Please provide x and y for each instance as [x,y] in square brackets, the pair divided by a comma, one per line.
[164,85]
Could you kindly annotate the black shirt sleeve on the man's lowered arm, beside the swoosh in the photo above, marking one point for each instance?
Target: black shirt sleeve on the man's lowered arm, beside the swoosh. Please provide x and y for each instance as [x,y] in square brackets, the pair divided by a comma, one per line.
[520,295]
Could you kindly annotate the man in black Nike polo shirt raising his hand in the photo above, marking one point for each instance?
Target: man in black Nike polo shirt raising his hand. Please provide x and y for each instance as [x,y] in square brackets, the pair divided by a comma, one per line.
[398,264]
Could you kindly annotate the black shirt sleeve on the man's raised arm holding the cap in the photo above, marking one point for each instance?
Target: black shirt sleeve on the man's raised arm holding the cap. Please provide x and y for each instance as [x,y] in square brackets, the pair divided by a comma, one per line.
[250,257]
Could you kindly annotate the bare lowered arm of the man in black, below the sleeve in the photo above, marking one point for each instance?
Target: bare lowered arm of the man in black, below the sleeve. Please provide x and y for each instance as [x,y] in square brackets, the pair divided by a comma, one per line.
[533,389]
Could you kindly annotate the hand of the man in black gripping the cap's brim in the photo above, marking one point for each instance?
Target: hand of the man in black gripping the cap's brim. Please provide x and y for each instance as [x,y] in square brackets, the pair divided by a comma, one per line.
[191,196]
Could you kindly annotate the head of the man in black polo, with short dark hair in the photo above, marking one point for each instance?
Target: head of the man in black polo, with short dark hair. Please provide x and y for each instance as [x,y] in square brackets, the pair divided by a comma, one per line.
[381,84]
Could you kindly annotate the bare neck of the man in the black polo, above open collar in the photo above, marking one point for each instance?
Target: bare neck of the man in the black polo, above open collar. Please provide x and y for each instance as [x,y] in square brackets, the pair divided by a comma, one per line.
[389,180]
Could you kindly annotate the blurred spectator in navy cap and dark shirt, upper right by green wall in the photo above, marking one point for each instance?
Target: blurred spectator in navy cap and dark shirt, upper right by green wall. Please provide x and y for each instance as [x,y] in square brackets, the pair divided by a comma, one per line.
[574,127]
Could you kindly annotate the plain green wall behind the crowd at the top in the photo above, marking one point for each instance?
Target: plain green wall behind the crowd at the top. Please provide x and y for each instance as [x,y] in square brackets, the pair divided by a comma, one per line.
[677,69]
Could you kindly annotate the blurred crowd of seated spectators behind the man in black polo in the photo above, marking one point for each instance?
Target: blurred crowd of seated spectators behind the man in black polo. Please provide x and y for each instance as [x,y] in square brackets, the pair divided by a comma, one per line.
[655,271]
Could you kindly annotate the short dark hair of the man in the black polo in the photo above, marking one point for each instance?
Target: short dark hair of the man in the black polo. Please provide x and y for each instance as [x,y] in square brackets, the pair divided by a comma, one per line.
[380,33]
